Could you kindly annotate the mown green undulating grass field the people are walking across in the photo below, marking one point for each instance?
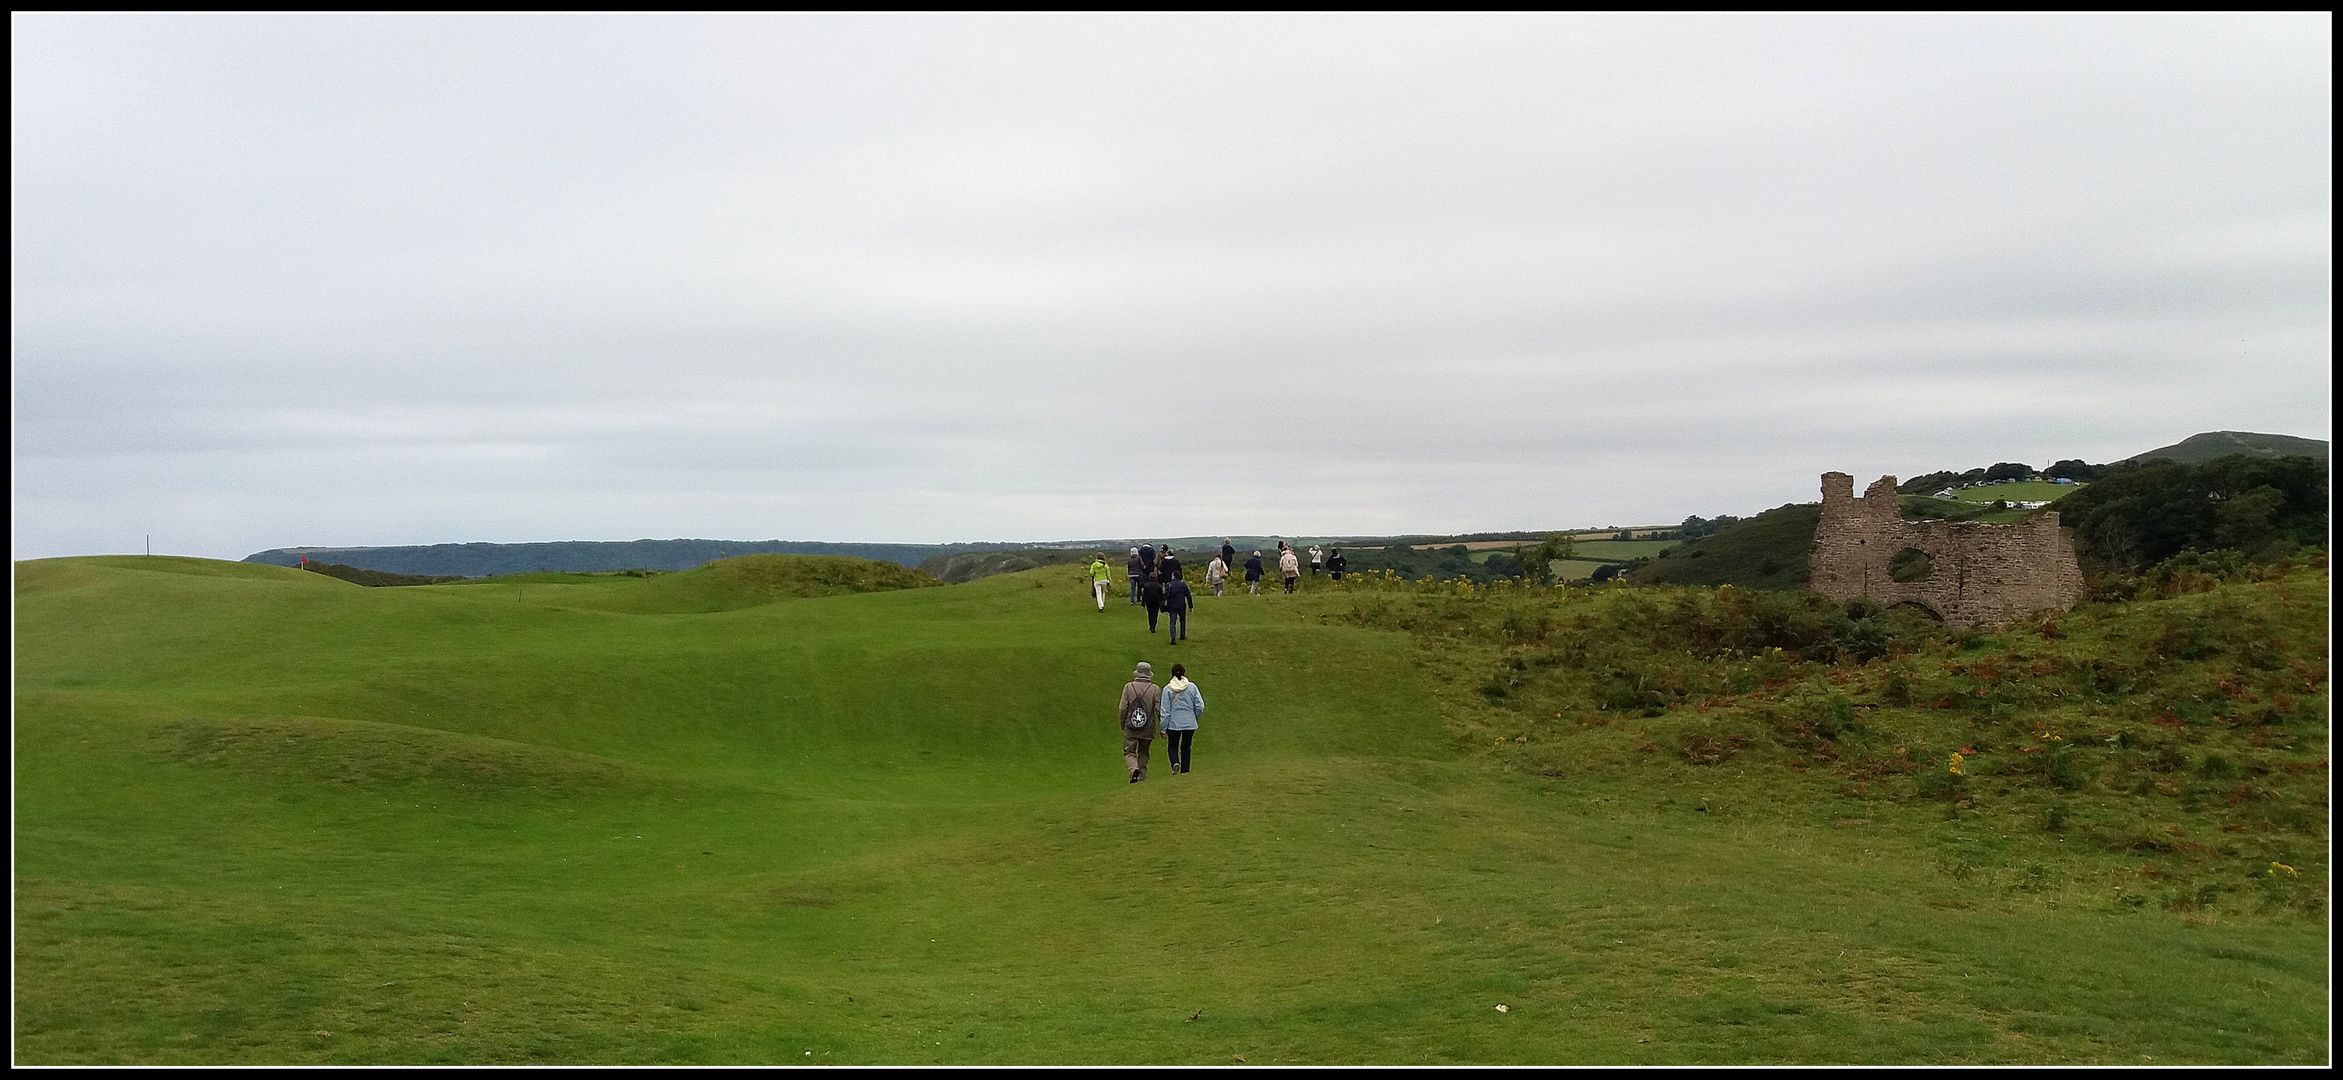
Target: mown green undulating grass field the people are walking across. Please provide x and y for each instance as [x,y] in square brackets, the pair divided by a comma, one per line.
[720,816]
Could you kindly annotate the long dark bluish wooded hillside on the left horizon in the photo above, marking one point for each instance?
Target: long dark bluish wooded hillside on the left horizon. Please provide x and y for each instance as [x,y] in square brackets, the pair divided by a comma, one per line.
[592,556]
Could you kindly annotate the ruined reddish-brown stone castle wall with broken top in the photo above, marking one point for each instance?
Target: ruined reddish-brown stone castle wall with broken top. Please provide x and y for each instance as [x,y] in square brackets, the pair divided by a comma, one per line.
[1965,573]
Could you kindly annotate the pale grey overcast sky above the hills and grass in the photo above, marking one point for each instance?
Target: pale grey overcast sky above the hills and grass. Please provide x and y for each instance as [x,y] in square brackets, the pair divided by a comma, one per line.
[418,280]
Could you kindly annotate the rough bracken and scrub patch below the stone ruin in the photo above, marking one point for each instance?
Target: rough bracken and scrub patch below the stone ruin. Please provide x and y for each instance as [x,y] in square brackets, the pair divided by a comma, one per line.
[2166,749]
